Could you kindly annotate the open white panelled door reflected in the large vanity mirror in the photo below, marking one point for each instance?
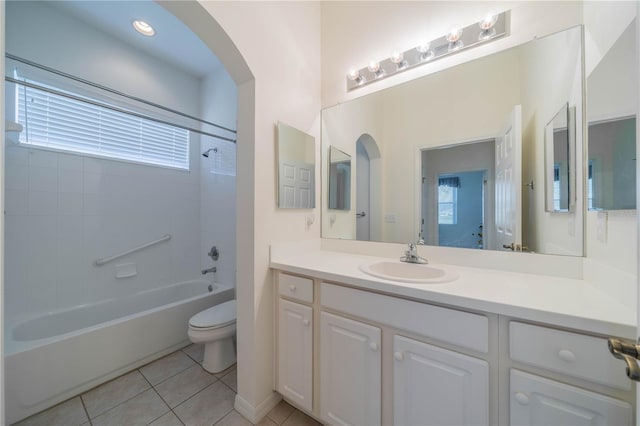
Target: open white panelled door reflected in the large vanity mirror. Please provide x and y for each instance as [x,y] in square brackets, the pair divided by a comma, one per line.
[508,214]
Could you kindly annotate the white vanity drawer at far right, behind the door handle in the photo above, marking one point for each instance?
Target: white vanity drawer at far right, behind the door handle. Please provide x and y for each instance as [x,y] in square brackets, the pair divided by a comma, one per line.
[578,355]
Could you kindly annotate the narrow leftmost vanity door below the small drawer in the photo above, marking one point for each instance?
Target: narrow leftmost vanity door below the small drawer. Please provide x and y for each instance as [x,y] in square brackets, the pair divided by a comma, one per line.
[295,352]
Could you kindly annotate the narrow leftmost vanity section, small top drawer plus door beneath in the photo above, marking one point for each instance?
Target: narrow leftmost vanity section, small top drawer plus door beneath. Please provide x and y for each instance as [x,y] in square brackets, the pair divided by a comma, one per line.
[295,340]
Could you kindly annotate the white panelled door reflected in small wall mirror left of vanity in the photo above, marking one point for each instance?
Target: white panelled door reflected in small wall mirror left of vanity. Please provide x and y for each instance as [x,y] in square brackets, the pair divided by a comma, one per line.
[295,185]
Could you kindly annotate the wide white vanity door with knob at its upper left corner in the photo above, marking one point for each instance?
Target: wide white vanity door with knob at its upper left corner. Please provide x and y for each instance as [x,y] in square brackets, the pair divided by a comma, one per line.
[435,386]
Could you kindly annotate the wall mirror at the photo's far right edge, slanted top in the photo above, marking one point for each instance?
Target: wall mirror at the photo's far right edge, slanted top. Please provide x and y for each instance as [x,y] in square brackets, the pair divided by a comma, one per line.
[611,182]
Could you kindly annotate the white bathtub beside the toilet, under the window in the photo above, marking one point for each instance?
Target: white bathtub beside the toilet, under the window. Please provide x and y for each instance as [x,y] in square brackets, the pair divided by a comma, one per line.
[56,356]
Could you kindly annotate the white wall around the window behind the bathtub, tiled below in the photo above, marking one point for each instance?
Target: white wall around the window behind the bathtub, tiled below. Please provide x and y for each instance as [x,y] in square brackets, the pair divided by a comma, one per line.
[64,211]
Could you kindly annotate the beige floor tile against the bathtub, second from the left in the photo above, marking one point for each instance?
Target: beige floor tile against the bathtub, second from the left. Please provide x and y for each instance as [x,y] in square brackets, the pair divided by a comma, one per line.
[112,393]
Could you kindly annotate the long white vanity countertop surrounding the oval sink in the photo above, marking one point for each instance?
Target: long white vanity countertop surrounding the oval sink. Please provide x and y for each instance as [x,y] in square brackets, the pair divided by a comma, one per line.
[565,302]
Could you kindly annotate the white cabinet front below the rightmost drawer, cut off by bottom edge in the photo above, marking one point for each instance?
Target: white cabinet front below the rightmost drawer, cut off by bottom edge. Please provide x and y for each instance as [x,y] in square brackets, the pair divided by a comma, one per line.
[538,401]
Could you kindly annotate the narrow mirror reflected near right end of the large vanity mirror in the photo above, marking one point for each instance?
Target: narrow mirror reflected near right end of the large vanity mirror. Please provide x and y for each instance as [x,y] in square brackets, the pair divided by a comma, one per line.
[558,164]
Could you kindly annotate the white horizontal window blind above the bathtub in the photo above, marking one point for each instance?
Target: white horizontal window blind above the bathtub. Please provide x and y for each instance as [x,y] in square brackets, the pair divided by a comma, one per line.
[54,121]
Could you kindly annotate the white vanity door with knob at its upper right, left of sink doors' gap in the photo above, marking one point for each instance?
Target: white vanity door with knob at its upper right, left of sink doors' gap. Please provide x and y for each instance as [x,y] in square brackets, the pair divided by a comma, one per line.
[350,372]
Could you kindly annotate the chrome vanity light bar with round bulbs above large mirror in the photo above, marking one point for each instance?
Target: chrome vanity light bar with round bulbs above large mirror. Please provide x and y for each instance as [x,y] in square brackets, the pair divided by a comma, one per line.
[492,26]
